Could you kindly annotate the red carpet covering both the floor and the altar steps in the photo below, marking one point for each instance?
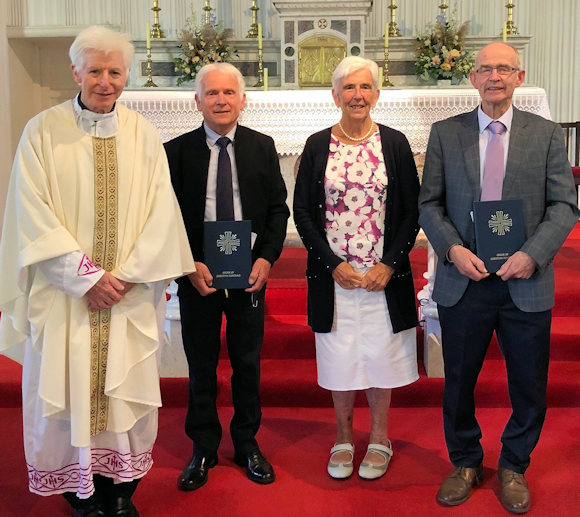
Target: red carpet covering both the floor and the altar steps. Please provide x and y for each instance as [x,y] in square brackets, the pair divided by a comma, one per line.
[298,428]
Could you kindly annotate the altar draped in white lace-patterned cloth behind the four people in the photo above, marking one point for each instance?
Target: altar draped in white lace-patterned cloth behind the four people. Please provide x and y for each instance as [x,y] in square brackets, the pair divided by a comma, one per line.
[289,117]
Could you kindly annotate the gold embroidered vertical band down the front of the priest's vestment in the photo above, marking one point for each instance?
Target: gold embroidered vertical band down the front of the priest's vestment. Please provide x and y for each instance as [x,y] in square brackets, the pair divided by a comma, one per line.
[104,255]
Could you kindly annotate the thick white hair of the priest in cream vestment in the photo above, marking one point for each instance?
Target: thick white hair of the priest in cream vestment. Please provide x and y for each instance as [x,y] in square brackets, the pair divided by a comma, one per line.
[100,39]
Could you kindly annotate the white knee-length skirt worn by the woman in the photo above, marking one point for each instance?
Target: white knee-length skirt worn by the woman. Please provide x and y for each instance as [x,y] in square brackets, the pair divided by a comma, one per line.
[361,351]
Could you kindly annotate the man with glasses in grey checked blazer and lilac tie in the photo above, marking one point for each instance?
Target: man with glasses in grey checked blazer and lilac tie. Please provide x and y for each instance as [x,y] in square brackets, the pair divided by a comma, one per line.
[516,301]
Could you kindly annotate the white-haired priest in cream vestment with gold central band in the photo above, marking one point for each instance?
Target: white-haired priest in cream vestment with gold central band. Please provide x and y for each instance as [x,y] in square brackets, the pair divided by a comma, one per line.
[92,235]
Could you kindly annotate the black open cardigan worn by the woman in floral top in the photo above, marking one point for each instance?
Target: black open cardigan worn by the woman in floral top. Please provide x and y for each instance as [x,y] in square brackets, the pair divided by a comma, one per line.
[401,228]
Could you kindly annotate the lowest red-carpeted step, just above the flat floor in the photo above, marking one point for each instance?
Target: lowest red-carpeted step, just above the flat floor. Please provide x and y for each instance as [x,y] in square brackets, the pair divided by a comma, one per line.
[292,383]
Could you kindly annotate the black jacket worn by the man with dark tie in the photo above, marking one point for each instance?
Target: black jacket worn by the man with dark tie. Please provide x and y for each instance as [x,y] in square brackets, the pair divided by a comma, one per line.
[262,189]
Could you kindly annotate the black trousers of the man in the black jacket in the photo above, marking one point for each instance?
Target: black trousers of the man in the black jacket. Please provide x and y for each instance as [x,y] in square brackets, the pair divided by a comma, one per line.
[201,321]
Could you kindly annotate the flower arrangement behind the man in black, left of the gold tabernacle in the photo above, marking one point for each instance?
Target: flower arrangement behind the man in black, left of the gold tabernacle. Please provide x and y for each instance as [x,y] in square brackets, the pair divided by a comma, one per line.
[200,45]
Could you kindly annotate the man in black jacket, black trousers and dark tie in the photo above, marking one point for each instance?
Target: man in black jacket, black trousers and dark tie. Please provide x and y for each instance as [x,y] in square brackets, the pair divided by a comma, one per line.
[259,195]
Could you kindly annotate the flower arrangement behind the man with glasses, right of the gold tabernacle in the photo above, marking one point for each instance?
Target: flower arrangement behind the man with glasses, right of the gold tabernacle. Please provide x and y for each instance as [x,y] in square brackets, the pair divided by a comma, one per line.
[441,52]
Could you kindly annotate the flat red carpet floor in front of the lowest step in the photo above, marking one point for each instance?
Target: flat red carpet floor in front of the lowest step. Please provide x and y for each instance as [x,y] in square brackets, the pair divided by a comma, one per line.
[297,442]
